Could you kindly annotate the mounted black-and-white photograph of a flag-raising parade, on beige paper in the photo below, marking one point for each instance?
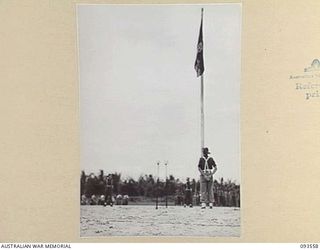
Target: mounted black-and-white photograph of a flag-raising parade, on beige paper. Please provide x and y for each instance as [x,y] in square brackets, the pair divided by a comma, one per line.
[159,114]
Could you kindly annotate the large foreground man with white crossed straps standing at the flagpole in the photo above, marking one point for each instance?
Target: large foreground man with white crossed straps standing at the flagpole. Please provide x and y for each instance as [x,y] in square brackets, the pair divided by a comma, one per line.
[207,168]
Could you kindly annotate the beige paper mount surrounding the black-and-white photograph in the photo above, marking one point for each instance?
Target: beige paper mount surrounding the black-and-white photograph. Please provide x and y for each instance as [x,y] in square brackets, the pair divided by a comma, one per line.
[39,147]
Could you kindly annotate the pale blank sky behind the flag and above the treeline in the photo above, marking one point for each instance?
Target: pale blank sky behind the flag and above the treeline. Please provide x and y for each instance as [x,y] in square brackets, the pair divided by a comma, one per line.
[139,94]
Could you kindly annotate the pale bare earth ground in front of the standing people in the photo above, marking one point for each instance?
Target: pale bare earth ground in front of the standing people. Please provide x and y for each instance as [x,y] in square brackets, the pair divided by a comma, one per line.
[147,221]
